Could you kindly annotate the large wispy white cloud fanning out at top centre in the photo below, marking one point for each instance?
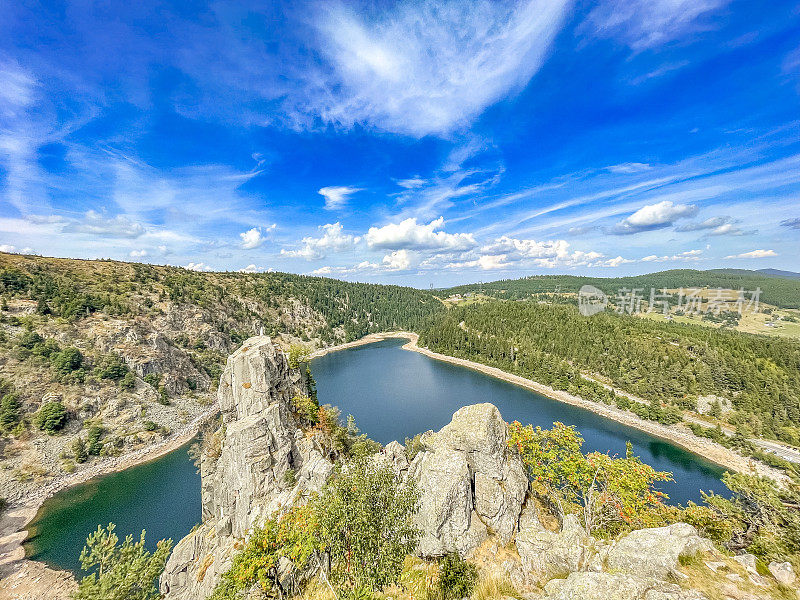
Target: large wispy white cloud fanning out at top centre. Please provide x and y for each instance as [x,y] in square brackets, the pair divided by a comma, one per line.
[426,67]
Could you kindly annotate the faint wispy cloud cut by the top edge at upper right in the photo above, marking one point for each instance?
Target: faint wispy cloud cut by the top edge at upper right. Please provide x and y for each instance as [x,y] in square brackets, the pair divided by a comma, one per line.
[644,24]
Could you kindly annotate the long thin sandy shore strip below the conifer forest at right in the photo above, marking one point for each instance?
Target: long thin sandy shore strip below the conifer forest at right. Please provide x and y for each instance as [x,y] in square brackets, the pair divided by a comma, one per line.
[675,434]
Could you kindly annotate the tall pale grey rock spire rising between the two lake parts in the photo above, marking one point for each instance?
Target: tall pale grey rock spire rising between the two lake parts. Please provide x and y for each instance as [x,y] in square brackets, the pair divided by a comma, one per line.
[247,482]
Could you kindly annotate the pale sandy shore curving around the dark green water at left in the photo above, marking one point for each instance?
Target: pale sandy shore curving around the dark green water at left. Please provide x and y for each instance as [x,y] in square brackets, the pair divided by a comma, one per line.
[24,579]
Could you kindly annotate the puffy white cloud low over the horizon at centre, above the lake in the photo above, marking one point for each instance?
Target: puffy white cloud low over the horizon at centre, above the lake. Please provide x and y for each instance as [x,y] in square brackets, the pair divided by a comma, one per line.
[409,234]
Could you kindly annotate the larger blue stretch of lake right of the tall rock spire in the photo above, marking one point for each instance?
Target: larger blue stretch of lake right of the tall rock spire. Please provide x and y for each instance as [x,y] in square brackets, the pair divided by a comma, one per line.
[394,394]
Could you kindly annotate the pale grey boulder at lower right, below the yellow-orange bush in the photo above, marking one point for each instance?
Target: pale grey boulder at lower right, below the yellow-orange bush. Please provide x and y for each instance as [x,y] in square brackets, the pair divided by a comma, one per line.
[654,552]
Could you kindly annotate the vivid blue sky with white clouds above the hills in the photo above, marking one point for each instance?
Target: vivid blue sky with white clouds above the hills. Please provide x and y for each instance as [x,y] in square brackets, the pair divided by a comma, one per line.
[414,143]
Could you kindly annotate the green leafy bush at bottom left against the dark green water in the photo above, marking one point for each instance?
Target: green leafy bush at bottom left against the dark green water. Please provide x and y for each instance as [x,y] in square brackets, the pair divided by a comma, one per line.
[120,571]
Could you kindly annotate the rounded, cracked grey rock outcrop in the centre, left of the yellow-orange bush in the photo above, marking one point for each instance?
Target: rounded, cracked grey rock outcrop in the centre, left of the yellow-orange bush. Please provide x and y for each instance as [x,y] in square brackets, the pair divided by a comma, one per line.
[470,483]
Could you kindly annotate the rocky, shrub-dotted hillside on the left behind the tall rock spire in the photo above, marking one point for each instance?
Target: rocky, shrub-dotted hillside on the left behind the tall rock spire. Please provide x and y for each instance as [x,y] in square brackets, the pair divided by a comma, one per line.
[102,357]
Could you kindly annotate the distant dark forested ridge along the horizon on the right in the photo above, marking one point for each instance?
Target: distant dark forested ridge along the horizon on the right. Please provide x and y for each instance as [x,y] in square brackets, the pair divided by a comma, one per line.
[778,291]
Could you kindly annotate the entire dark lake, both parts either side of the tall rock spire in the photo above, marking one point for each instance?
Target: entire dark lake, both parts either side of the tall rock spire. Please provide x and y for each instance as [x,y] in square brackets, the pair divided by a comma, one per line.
[393,394]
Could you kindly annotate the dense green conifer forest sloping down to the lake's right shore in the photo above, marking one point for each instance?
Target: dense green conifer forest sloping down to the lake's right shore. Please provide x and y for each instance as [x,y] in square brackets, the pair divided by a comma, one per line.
[668,363]
